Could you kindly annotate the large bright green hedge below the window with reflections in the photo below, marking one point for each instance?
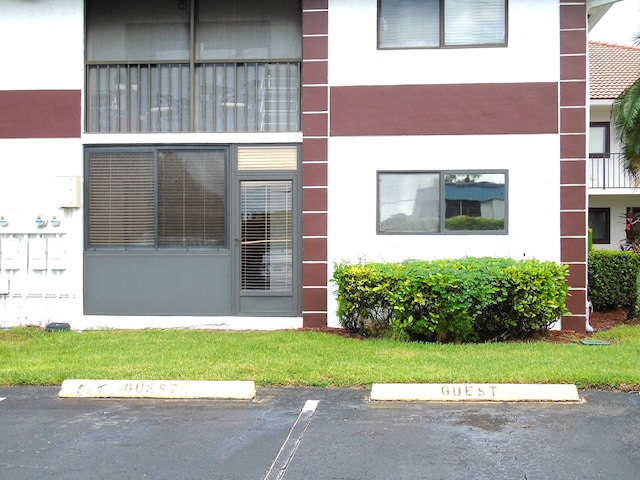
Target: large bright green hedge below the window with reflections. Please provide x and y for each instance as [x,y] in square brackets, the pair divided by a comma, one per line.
[465,300]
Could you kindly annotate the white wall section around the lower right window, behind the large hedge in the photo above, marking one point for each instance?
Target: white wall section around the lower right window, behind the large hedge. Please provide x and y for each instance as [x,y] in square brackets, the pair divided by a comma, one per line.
[533,196]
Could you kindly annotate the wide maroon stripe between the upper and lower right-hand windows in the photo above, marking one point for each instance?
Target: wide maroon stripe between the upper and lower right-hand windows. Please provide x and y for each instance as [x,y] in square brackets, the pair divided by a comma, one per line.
[461,109]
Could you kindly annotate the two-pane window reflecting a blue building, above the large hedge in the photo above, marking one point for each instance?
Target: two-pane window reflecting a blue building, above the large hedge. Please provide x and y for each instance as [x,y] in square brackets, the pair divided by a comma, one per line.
[442,202]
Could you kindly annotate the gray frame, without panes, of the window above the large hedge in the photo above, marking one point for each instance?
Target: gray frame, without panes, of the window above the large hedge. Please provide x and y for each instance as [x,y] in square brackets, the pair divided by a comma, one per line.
[442,203]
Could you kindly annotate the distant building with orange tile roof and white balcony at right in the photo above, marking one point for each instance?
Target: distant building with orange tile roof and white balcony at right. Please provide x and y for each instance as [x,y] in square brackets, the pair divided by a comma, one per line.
[614,200]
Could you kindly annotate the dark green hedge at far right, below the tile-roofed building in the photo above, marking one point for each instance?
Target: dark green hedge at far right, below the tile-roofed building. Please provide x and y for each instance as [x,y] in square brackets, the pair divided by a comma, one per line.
[613,279]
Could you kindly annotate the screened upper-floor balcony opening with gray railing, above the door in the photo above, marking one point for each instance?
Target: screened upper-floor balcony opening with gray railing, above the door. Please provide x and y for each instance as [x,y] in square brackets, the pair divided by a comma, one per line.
[193,66]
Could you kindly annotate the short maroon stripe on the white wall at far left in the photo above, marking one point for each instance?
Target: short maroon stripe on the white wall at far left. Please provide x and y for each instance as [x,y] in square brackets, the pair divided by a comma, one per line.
[40,114]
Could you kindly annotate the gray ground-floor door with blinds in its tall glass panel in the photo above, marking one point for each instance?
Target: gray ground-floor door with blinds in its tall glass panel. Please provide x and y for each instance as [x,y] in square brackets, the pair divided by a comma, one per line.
[267,247]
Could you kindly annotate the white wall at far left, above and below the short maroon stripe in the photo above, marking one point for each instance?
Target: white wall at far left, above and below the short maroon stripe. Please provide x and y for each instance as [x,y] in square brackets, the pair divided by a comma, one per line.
[40,268]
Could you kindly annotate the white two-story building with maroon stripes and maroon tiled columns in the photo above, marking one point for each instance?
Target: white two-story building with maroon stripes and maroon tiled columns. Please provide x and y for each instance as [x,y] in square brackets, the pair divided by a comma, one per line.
[196,163]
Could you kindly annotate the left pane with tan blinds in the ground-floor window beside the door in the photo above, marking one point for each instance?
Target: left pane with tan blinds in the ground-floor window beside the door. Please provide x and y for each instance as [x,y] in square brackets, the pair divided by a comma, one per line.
[121,199]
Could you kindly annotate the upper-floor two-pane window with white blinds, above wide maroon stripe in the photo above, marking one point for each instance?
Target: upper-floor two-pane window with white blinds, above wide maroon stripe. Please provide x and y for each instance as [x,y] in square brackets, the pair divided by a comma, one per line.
[441,23]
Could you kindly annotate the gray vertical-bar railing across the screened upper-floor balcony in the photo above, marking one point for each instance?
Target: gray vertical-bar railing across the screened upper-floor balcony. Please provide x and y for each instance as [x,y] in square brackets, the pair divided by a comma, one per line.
[205,97]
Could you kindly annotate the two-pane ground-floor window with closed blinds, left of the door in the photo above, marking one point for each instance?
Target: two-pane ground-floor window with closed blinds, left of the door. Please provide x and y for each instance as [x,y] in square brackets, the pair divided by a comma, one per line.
[157,198]
